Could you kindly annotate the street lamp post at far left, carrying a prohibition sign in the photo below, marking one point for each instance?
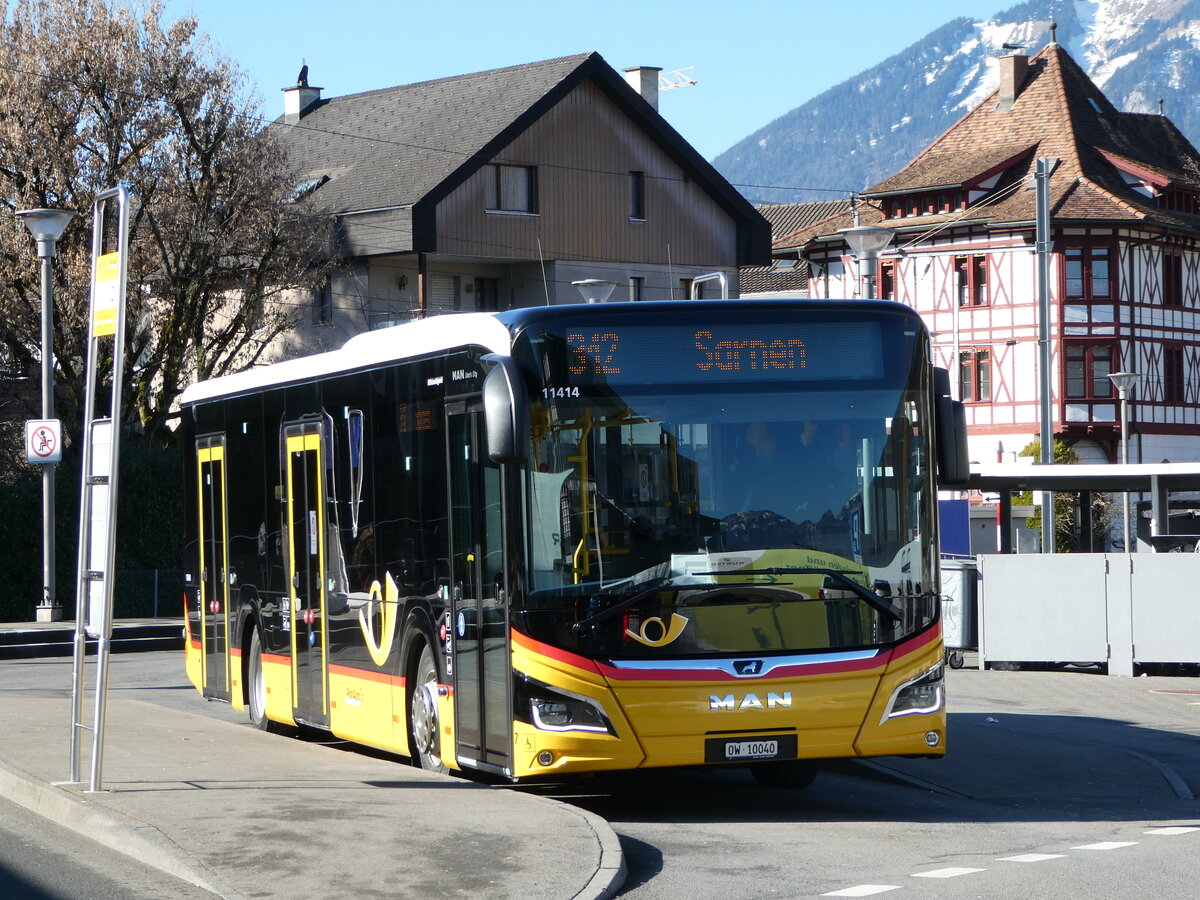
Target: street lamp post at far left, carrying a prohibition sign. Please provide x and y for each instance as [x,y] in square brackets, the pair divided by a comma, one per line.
[46,226]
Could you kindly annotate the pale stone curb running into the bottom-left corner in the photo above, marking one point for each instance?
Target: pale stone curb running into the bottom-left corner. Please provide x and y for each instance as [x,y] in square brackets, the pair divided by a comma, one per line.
[124,835]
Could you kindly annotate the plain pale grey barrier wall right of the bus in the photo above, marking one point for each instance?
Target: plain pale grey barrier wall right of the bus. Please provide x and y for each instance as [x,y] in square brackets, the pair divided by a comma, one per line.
[1090,608]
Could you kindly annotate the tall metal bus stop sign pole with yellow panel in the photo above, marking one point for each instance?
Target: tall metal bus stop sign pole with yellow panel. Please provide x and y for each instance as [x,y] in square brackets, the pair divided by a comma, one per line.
[98,502]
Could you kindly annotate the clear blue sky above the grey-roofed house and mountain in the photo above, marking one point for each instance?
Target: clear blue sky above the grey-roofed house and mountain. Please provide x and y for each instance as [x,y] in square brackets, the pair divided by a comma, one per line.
[753,61]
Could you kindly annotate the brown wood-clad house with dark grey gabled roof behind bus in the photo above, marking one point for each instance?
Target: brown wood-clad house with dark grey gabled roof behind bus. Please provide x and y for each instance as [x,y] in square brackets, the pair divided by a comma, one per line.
[500,189]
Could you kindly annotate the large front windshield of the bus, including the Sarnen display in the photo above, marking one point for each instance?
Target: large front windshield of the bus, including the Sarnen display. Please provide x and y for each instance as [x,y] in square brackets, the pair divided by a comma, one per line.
[731,487]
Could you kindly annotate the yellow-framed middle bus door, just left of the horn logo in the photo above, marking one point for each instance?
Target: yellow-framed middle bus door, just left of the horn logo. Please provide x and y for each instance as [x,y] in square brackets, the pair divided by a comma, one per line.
[305,508]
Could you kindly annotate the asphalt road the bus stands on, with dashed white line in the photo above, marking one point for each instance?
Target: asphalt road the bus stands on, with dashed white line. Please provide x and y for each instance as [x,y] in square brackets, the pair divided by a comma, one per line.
[1060,785]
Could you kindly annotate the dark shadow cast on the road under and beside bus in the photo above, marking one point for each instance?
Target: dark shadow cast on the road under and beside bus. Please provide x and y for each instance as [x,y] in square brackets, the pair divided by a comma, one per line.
[1001,769]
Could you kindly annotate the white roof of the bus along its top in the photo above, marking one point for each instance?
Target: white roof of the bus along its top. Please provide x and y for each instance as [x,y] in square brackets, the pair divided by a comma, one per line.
[445,332]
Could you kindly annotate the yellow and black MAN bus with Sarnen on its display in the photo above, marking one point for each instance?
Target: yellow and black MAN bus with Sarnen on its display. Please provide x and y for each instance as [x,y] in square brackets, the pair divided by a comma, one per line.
[581,538]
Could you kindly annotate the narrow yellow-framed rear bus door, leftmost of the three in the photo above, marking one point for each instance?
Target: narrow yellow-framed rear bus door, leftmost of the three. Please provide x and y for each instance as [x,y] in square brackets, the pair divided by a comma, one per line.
[214,566]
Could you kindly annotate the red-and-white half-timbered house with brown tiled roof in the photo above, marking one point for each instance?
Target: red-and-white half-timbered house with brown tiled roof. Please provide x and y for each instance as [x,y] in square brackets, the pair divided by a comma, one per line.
[1125,285]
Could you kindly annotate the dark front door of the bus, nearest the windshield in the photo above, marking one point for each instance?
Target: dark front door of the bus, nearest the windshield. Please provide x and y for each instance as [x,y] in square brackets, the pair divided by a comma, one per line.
[479,616]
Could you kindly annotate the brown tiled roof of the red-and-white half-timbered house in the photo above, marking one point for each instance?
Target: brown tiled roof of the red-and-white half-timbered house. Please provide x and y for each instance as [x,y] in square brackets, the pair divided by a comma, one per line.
[1059,113]
